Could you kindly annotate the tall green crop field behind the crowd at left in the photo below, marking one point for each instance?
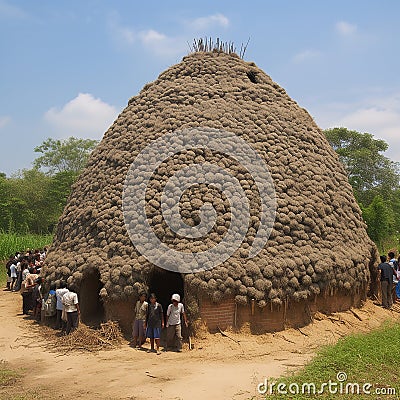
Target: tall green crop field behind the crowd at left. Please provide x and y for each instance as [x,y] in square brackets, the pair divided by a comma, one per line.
[11,243]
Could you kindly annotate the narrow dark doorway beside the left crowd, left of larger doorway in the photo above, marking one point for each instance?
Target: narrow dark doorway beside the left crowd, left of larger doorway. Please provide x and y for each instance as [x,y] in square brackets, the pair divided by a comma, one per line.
[92,310]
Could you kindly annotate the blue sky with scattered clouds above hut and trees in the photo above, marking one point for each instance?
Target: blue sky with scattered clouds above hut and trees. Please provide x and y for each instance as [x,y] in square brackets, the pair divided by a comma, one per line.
[69,67]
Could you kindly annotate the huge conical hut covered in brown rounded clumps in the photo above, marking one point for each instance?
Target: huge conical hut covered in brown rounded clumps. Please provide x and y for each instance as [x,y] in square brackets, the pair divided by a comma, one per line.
[318,256]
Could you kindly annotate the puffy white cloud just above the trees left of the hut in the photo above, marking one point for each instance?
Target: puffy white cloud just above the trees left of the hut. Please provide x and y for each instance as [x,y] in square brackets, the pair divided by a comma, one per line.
[84,116]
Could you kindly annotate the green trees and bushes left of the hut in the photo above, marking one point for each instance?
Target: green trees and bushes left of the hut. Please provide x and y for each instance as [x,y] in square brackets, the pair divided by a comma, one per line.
[32,200]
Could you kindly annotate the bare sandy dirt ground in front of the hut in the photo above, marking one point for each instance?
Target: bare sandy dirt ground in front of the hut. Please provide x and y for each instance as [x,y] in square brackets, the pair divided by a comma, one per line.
[219,367]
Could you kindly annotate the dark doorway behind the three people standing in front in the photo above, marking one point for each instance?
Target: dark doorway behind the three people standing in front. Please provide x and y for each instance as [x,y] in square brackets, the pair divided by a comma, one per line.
[164,284]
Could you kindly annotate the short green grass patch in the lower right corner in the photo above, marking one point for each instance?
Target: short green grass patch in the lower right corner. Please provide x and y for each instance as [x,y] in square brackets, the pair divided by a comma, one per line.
[364,359]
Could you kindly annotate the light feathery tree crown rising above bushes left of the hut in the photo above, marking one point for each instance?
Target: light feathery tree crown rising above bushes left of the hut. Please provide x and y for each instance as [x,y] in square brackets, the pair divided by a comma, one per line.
[69,155]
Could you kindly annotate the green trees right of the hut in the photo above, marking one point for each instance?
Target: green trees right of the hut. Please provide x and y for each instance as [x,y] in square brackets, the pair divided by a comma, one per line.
[375,181]
